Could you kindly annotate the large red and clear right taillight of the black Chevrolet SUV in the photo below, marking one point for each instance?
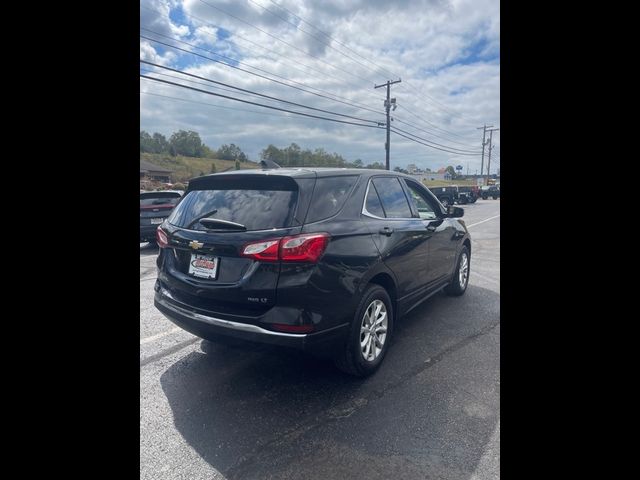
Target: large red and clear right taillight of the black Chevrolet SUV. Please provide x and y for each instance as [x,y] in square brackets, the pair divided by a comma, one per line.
[300,248]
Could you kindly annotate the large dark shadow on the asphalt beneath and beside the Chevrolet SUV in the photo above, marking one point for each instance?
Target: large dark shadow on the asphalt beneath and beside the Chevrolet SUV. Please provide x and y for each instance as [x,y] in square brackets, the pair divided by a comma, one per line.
[428,412]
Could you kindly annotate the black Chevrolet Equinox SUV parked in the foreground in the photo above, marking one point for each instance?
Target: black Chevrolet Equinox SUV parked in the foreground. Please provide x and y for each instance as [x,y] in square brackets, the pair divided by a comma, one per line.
[324,260]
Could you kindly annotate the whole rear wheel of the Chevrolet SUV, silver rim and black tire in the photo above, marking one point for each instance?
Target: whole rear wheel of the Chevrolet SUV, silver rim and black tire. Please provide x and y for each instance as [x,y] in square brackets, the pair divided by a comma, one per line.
[370,334]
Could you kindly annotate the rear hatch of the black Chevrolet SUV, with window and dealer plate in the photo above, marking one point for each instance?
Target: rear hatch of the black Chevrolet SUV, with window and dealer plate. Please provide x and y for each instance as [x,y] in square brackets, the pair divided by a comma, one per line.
[203,264]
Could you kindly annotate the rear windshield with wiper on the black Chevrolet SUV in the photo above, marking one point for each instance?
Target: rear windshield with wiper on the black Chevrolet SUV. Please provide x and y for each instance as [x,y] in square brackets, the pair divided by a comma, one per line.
[254,207]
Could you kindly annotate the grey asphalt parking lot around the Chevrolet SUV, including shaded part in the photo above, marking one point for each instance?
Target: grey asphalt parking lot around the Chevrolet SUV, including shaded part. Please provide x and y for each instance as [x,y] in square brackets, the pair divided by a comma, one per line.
[431,411]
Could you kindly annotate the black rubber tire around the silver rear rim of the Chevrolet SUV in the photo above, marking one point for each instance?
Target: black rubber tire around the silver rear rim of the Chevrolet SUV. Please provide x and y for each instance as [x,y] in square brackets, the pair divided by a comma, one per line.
[351,360]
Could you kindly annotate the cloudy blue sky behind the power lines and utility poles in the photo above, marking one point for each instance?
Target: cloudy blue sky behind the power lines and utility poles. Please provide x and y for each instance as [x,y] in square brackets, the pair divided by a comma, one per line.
[447,54]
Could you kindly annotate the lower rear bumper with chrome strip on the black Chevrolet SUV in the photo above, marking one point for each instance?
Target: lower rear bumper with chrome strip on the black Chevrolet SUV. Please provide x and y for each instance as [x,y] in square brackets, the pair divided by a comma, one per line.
[216,327]
